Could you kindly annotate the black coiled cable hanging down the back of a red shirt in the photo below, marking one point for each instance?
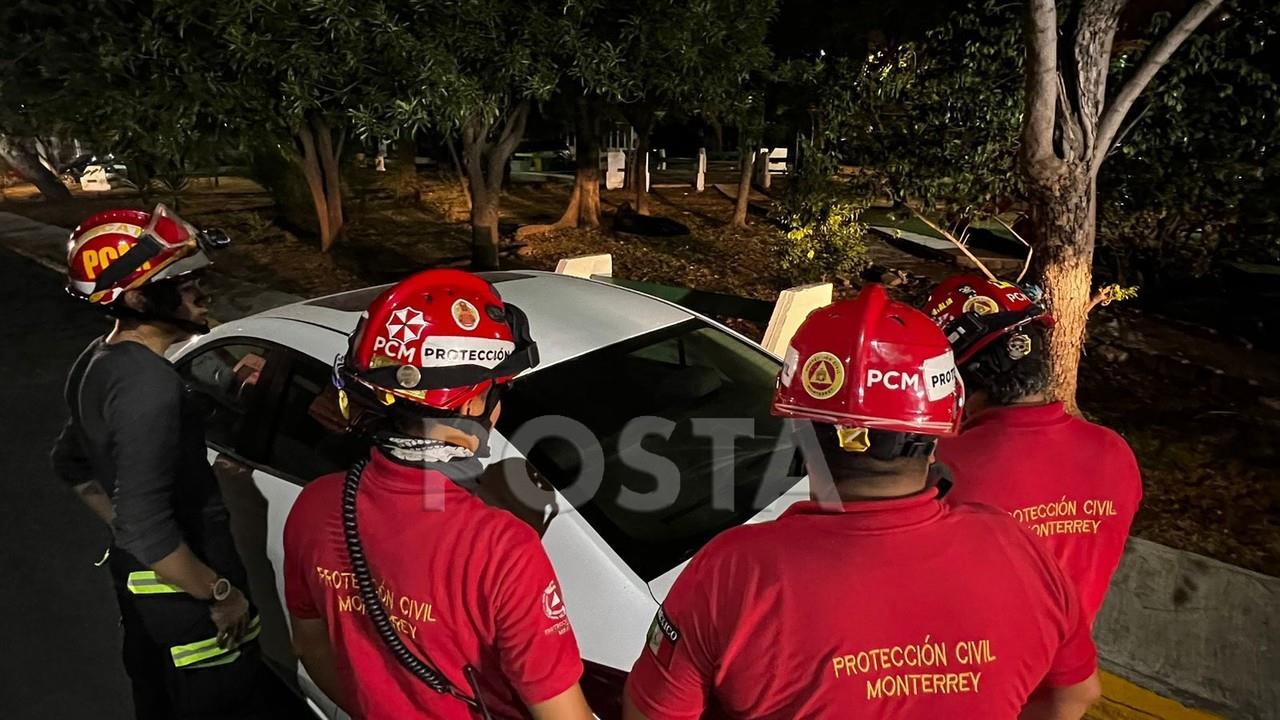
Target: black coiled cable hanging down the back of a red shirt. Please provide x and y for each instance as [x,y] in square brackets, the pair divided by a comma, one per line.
[377,612]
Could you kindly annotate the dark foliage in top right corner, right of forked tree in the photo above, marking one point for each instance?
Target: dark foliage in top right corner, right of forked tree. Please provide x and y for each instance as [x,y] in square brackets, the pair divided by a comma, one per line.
[1194,180]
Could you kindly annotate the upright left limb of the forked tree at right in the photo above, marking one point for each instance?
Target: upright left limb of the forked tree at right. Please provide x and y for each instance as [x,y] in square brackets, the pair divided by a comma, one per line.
[1041,99]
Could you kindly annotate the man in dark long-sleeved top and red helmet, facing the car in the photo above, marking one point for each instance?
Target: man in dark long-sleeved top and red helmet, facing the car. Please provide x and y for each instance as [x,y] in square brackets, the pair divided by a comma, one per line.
[135,452]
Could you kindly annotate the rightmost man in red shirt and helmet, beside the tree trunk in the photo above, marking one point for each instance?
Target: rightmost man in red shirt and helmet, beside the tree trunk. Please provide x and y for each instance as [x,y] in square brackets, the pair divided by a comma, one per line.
[1075,484]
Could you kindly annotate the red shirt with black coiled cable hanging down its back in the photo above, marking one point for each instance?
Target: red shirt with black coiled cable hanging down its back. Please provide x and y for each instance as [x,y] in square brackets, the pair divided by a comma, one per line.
[465,584]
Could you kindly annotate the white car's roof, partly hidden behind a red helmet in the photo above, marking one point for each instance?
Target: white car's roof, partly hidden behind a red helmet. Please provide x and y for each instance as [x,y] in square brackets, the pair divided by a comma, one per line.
[568,316]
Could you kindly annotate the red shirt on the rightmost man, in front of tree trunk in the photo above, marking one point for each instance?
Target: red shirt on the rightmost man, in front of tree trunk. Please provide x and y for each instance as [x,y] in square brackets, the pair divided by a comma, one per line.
[1075,484]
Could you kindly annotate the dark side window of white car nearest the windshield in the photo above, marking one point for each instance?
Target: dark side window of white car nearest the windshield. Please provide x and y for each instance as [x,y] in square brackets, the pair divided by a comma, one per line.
[310,438]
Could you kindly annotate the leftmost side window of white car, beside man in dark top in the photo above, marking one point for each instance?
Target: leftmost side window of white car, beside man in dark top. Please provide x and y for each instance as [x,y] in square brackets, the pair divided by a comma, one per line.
[226,380]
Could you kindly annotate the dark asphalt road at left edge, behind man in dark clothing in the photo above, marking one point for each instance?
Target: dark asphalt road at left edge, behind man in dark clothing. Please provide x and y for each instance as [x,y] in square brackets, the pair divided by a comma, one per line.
[60,634]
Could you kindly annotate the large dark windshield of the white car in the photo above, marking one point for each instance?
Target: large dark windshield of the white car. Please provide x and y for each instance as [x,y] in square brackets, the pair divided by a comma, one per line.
[691,382]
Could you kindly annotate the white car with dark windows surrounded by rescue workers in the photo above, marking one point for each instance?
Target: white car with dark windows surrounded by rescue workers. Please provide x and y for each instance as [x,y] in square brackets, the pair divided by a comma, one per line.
[609,356]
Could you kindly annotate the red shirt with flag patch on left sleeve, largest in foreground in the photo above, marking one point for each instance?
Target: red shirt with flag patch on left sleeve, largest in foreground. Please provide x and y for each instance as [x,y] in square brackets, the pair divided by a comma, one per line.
[886,609]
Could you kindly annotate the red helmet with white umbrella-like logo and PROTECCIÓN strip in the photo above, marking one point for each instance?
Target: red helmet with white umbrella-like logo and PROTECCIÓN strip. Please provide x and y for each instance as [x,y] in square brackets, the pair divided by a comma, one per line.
[437,340]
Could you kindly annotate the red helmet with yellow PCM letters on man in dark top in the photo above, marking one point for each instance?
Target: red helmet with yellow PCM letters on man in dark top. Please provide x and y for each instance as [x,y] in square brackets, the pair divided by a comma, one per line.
[121,250]
